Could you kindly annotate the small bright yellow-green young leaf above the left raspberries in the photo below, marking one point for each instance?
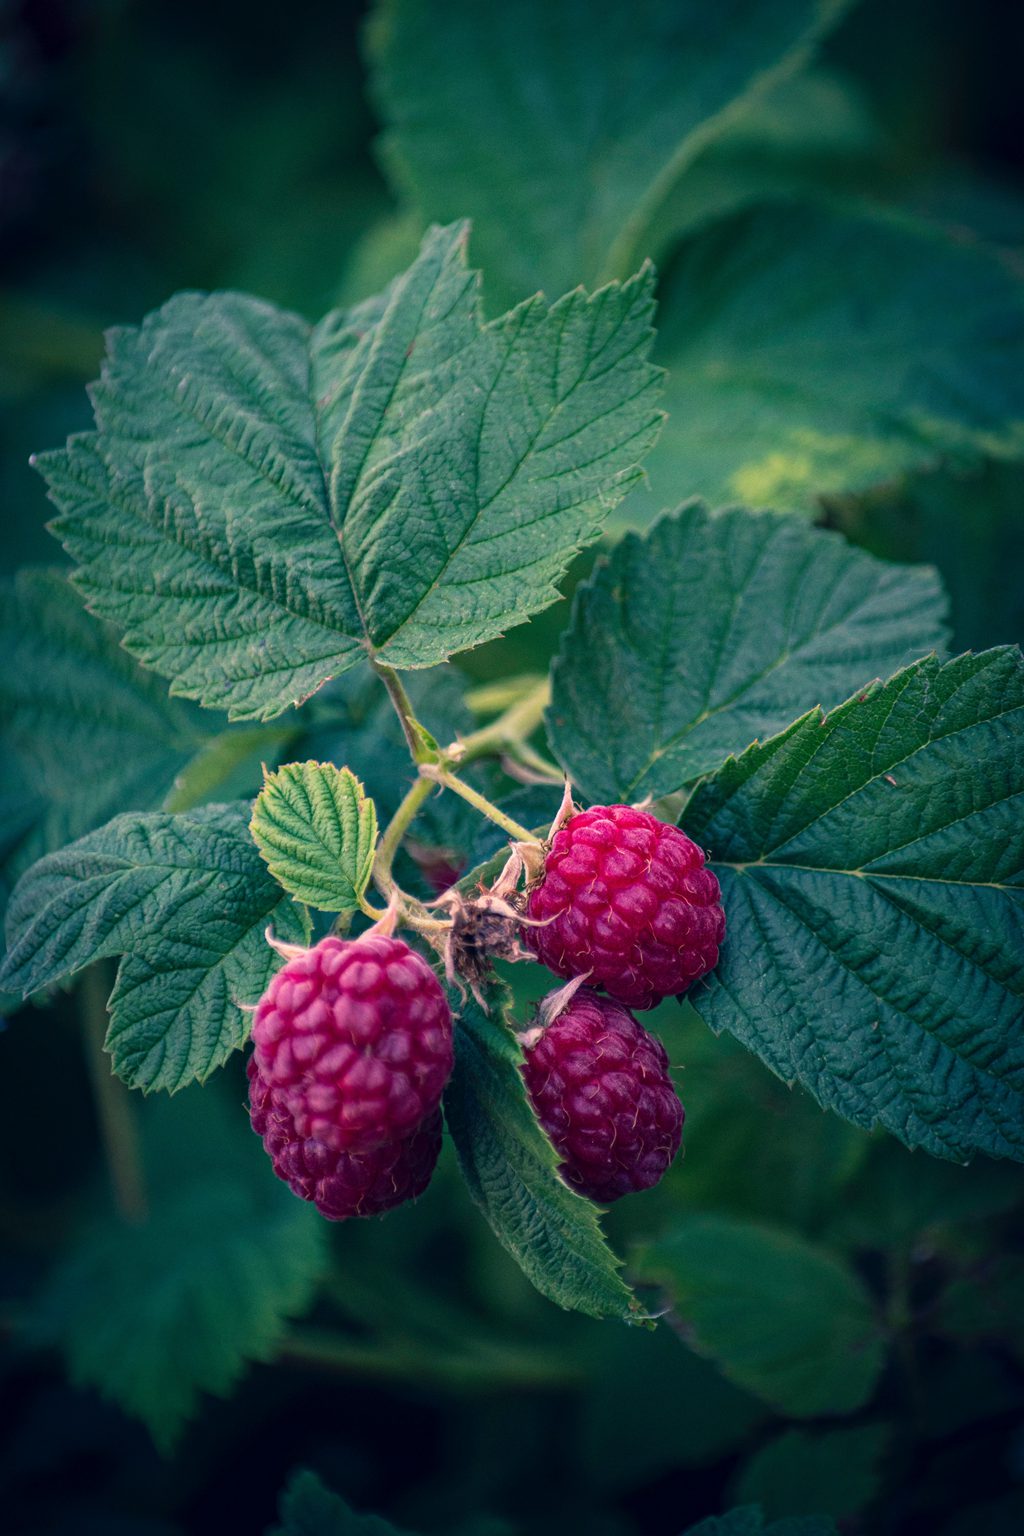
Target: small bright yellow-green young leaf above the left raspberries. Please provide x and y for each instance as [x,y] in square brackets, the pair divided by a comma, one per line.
[317,832]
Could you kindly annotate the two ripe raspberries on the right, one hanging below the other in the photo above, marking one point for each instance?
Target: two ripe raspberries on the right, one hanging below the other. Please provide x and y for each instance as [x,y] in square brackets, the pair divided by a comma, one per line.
[627,904]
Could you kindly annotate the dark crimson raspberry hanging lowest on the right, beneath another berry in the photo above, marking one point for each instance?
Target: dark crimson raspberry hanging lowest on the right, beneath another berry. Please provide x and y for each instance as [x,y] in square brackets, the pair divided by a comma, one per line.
[601,1090]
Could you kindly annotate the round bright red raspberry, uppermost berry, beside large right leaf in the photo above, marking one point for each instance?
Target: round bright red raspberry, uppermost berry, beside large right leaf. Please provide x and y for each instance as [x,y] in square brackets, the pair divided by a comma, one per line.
[627,902]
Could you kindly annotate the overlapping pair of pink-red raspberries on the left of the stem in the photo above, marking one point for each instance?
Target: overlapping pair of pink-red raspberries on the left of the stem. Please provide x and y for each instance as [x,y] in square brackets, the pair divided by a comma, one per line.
[352,1053]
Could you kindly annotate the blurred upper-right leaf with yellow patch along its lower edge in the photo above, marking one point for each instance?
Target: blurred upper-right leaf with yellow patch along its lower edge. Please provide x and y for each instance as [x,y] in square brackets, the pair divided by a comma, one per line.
[816,351]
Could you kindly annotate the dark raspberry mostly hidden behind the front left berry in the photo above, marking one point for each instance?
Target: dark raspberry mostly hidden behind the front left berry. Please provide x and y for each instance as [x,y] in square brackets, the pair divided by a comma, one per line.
[343,1185]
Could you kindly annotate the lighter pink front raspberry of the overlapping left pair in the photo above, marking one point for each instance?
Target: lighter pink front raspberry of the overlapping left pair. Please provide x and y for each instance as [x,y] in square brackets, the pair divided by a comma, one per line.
[355,1041]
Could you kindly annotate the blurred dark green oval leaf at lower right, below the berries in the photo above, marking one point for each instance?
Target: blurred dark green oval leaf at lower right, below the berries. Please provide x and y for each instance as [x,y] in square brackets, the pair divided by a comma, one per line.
[782,1319]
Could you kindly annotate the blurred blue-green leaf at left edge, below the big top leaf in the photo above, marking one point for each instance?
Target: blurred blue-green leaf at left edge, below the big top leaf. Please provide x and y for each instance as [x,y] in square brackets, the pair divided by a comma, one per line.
[87,730]
